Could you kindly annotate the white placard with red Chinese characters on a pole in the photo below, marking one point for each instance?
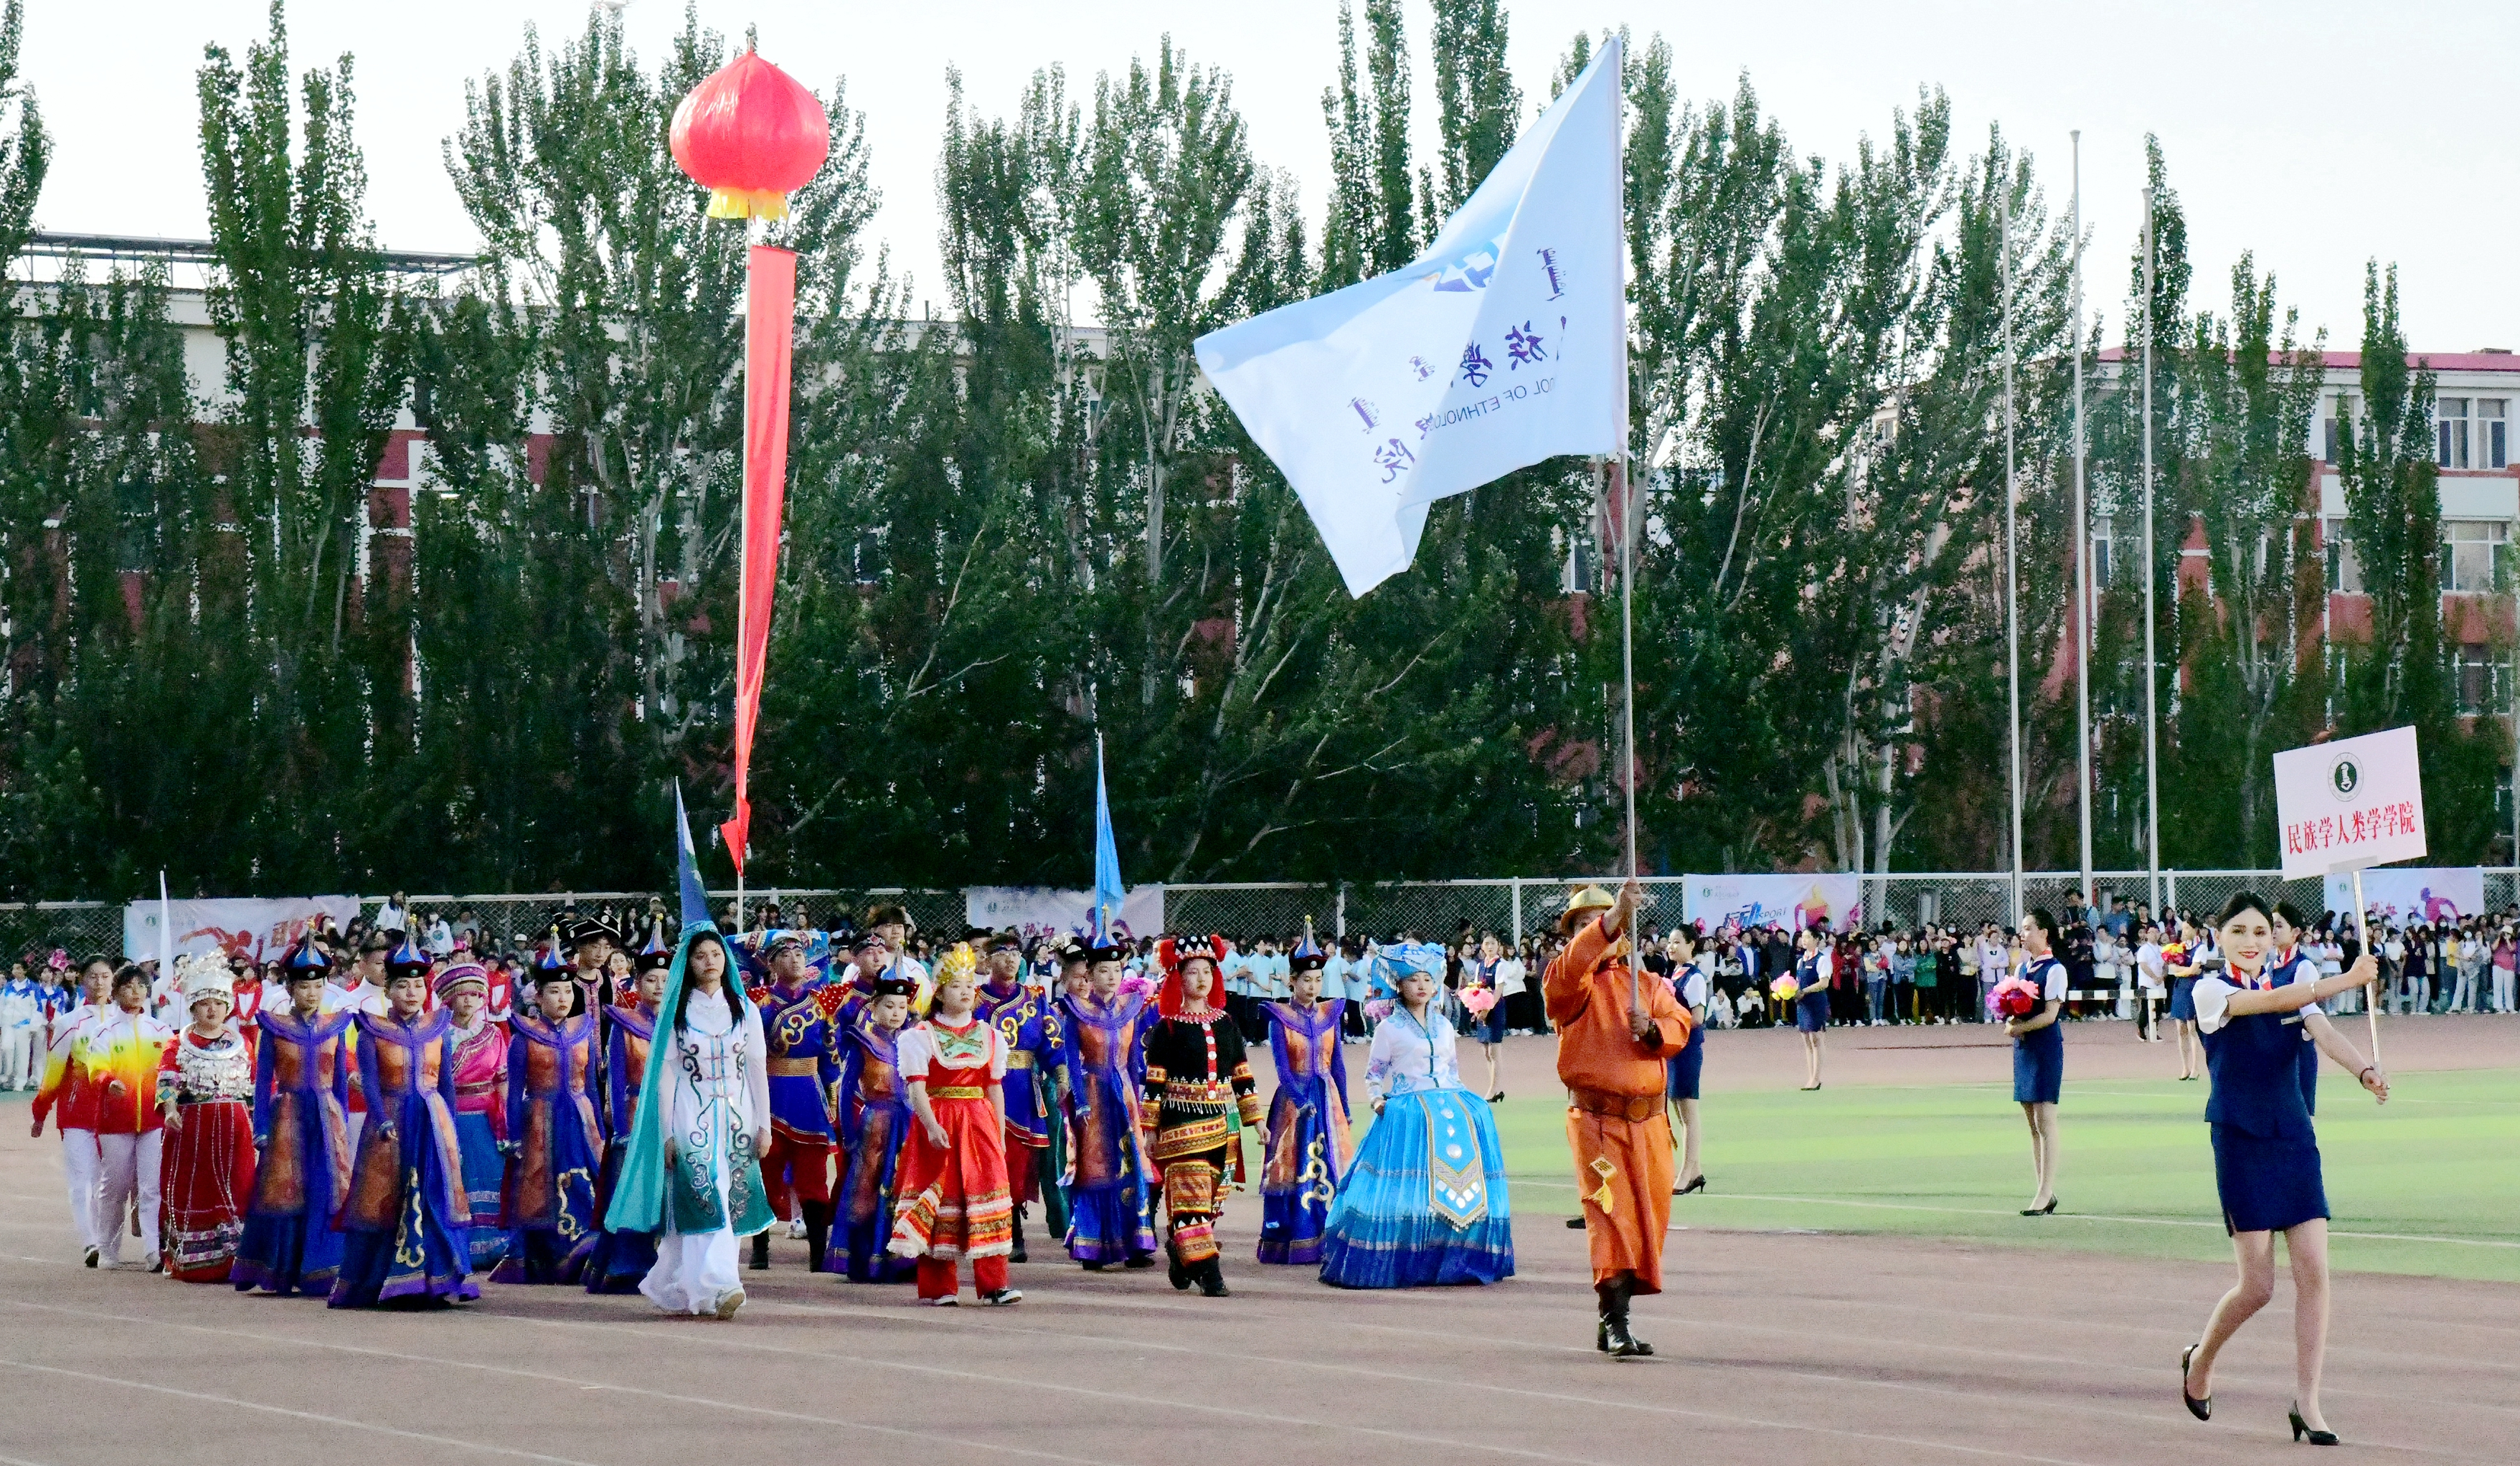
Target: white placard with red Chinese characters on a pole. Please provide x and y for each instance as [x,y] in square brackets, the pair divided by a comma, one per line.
[2350,805]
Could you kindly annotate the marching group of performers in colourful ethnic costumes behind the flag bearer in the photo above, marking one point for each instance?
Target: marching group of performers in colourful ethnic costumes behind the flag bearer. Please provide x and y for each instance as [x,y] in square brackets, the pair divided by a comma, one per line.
[392,1130]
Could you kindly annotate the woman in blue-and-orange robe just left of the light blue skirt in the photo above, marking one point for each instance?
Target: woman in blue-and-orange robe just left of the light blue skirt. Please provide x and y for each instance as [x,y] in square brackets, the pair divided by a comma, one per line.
[1309,1145]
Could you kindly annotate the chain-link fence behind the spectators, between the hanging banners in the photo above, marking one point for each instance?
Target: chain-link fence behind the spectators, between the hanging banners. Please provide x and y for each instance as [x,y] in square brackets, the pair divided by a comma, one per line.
[1249,911]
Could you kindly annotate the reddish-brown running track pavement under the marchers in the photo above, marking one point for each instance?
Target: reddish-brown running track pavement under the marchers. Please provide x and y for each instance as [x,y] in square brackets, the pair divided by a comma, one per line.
[1806,1349]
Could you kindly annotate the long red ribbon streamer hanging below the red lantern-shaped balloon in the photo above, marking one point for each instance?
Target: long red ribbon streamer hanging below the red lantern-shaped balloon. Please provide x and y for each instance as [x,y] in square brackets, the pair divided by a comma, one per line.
[770,326]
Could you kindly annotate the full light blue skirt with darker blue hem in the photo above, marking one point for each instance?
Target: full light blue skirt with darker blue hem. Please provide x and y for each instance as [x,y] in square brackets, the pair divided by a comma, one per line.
[1425,1203]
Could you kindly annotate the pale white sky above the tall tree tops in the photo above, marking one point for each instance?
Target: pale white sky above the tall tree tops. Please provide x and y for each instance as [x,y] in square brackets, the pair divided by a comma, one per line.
[2315,132]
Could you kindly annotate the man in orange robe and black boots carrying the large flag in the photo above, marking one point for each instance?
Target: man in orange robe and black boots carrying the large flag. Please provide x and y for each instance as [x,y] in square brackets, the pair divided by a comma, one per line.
[1614,1034]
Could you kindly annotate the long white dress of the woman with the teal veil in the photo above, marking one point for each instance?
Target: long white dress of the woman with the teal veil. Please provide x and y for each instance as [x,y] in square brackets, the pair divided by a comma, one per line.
[717,1087]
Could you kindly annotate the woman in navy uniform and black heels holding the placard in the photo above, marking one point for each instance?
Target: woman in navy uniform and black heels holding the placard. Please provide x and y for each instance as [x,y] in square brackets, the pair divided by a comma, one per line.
[2267,1155]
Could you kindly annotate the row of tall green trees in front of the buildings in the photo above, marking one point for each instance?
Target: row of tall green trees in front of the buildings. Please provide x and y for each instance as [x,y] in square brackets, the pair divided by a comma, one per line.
[1022,525]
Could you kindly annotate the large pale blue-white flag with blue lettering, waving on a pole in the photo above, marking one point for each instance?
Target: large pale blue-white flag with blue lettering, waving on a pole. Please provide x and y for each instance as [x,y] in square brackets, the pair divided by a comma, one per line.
[1503,346]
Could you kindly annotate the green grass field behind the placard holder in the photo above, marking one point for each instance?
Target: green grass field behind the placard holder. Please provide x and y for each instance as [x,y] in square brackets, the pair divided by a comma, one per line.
[2428,1183]
